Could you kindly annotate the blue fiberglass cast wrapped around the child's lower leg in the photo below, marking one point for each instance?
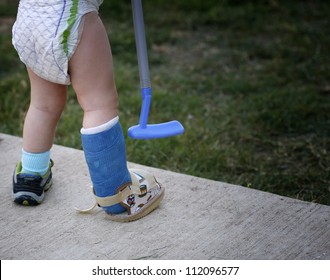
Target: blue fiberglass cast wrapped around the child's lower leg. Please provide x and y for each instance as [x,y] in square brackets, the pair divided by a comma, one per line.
[105,154]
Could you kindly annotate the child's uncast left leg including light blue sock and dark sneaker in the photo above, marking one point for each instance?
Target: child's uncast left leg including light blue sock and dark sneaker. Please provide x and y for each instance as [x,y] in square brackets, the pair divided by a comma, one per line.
[33,174]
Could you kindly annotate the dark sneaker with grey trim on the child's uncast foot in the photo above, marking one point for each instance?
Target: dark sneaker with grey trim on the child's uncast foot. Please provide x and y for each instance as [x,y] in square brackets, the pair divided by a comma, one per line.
[29,189]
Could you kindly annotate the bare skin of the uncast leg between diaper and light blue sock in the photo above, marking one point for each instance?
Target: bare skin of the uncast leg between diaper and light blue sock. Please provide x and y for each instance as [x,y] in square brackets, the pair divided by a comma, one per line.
[46,105]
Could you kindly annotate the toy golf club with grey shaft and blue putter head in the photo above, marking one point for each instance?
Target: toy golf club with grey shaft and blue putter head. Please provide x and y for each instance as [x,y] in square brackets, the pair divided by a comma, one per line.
[144,130]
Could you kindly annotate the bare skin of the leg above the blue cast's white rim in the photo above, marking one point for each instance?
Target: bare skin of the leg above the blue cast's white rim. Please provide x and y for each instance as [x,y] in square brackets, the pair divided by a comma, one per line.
[92,76]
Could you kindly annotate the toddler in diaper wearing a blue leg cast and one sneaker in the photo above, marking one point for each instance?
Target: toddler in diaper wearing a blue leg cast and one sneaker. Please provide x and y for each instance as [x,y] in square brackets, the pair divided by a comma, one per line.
[64,42]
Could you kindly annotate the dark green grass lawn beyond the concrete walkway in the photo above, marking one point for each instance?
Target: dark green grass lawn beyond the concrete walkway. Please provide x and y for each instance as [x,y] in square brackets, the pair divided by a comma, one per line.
[249,80]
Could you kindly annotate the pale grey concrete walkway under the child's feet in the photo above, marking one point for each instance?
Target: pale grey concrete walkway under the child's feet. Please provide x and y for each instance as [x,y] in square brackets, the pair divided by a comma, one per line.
[198,219]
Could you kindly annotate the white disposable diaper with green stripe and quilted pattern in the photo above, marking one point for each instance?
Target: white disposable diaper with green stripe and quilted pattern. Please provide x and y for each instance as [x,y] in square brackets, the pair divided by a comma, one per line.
[46,34]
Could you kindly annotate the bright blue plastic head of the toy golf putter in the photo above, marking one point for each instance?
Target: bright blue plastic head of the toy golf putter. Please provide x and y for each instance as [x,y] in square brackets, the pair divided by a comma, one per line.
[152,131]
